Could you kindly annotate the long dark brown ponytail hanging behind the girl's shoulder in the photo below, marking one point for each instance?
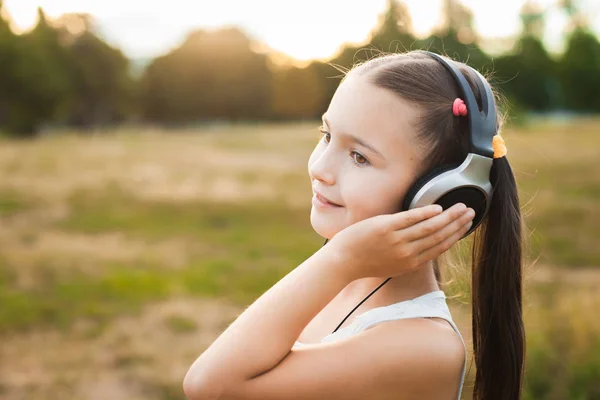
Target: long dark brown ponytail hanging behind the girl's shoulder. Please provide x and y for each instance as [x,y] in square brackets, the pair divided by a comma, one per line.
[498,330]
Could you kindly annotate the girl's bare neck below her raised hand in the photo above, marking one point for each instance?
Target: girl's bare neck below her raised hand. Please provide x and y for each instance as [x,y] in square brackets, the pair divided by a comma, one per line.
[402,287]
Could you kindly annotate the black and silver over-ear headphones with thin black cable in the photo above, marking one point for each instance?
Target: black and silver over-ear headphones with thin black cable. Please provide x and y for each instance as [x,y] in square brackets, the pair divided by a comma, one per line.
[469,181]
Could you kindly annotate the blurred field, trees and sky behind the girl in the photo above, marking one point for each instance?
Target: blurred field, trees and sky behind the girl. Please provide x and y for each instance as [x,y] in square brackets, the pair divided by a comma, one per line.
[153,176]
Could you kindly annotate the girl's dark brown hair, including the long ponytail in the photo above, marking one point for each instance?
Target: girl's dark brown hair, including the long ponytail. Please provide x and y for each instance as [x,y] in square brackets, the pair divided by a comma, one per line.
[498,331]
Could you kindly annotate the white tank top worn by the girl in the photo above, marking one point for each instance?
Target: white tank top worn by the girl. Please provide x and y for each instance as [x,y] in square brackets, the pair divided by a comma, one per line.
[432,304]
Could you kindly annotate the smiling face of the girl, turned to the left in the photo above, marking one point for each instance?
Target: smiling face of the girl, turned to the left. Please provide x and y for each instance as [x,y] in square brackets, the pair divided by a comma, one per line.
[367,158]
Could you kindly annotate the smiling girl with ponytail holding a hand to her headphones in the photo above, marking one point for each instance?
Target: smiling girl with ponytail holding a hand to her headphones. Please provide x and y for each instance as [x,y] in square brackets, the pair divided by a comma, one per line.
[390,120]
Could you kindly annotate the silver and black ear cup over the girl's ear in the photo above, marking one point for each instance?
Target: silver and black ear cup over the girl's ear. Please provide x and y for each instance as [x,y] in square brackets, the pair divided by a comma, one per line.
[468,183]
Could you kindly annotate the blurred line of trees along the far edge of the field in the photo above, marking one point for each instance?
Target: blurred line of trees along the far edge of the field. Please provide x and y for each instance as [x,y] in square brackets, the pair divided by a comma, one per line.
[61,73]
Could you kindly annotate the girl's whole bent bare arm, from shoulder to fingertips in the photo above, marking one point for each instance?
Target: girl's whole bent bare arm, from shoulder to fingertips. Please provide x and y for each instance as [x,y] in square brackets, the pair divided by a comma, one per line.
[244,361]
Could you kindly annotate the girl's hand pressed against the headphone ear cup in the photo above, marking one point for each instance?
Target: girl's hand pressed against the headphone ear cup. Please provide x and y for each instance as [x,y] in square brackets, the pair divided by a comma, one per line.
[391,244]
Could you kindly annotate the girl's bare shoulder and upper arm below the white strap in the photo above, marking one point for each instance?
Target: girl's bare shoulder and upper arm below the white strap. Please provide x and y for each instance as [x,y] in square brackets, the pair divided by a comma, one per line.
[400,359]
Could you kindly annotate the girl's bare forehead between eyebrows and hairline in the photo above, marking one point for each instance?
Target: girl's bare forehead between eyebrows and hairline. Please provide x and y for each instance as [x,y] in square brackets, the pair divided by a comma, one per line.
[376,115]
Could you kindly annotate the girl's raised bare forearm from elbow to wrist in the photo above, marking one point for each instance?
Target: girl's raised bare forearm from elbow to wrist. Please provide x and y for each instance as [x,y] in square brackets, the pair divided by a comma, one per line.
[262,336]
